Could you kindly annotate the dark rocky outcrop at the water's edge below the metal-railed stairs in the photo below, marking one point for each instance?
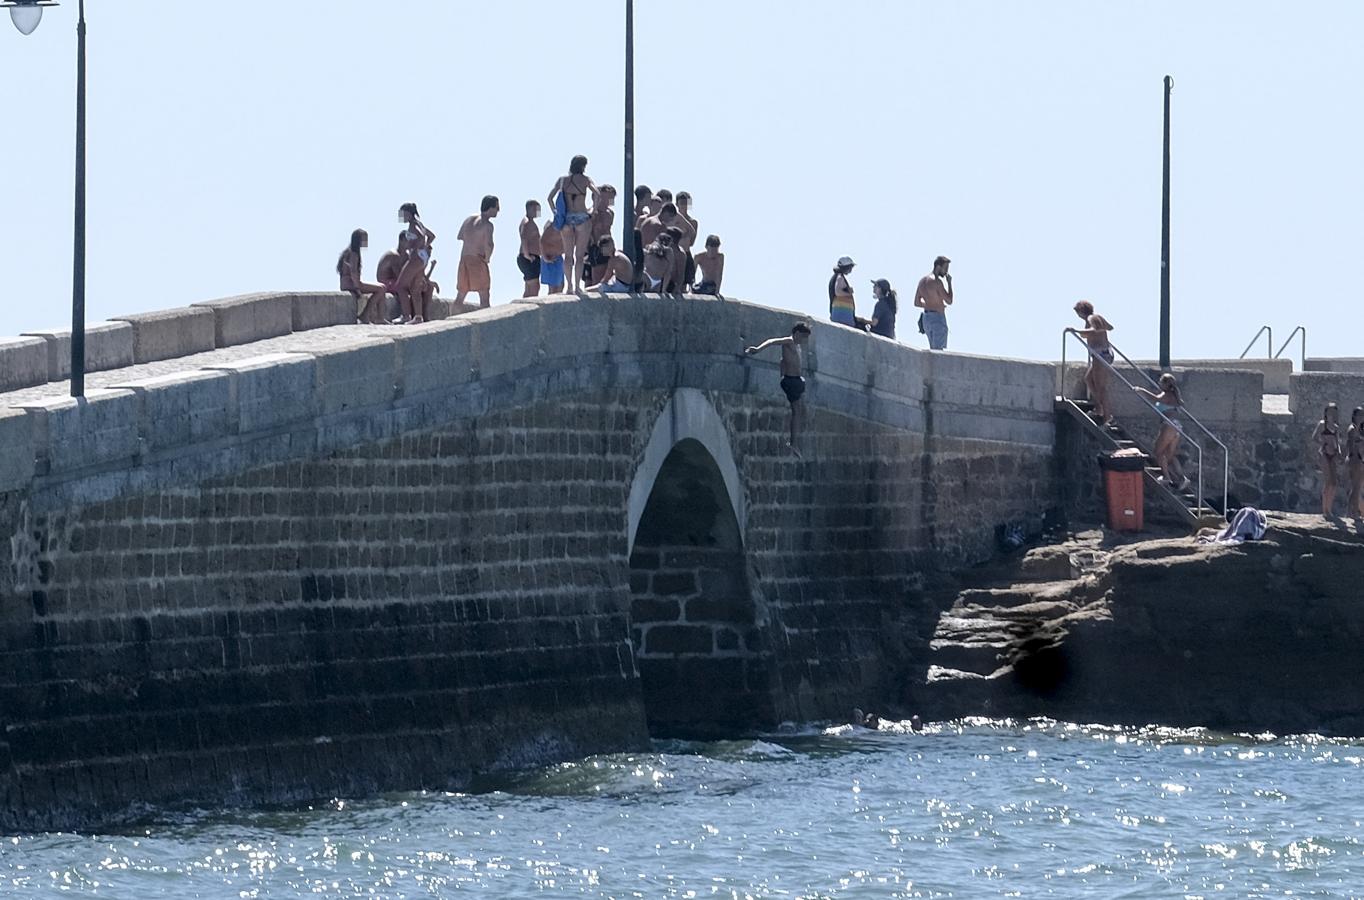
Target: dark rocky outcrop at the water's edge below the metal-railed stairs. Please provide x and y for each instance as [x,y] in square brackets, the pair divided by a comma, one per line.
[1257,637]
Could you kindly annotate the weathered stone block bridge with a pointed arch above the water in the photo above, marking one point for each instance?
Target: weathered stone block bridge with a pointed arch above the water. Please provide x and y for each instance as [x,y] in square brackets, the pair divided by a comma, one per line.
[264,561]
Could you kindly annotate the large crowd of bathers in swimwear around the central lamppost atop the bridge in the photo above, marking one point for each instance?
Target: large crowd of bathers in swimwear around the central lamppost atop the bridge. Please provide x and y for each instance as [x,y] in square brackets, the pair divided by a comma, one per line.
[574,252]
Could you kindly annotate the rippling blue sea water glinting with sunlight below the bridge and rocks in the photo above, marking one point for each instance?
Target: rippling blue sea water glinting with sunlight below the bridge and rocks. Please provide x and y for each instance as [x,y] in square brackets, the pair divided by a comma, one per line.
[979,809]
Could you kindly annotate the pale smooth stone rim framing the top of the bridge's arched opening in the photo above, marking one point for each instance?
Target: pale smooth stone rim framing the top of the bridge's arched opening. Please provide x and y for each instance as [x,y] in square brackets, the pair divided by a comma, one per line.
[688,417]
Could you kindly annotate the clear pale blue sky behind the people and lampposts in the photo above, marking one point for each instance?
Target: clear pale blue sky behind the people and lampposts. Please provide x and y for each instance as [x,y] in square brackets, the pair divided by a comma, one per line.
[235,145]
